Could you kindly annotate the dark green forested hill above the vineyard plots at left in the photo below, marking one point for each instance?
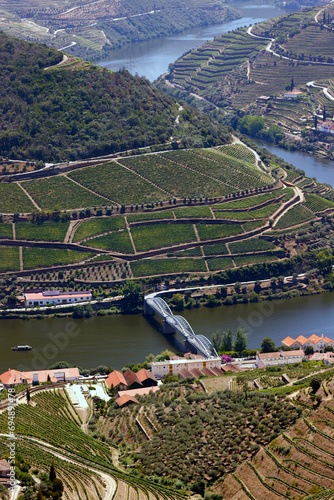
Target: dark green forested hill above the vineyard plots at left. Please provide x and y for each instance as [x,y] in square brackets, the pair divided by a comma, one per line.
[63,114]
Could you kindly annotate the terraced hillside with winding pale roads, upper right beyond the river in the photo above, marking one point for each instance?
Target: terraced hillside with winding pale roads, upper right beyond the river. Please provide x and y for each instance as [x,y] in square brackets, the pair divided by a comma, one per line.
[251,69]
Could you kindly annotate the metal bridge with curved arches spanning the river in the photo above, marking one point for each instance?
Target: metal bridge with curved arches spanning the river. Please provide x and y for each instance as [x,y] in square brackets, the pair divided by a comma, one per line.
[199,344]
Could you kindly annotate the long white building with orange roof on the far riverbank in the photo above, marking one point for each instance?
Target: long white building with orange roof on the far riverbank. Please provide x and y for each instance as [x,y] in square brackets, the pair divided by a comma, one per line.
[54,297]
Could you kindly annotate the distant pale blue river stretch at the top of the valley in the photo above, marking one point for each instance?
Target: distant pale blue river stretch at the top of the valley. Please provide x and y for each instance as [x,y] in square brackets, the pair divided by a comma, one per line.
[151,58]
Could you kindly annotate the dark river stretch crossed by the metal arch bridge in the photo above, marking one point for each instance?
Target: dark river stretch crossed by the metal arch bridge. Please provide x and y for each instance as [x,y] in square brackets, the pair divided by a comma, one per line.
[121,339]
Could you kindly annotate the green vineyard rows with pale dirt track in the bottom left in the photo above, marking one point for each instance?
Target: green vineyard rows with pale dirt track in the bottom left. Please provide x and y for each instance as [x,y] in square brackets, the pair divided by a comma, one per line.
[84,463]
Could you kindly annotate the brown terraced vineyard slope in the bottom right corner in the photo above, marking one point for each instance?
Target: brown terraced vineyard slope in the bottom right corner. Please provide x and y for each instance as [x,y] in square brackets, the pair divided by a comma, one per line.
[298,464]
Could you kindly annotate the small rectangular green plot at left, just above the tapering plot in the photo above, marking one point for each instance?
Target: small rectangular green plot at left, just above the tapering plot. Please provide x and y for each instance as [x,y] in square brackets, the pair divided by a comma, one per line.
[43,231]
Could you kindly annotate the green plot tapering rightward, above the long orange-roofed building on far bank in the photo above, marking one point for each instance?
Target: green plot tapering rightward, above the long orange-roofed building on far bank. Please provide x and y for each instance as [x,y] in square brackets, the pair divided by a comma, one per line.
[44,257]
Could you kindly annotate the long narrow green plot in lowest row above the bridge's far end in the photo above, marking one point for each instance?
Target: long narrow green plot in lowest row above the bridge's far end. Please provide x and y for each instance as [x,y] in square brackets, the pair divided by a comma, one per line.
[149,267]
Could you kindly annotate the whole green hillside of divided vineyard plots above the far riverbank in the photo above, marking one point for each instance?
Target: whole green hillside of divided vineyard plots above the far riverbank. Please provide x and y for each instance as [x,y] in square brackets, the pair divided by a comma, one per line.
[217,214]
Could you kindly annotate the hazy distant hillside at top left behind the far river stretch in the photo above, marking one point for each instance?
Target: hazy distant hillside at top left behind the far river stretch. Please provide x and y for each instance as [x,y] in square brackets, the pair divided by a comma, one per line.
[99,27]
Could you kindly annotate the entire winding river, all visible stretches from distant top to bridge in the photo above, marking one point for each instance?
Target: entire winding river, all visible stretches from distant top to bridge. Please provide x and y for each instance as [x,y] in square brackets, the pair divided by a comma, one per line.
[120,339]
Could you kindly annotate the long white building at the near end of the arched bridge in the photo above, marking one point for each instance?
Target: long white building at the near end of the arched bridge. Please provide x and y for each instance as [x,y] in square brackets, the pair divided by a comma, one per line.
[174,366]
